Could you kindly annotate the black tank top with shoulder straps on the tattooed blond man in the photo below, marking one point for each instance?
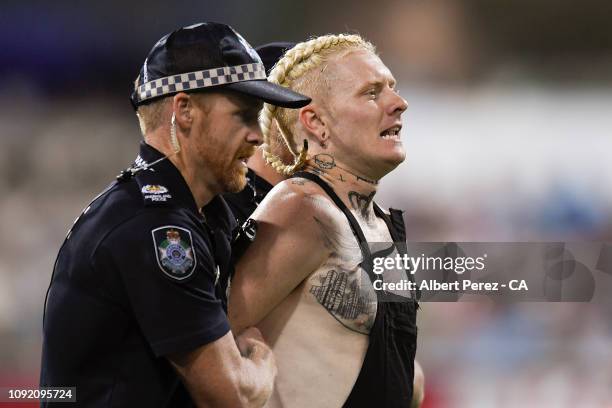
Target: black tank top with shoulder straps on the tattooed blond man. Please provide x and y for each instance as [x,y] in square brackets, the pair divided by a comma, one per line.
[387,373]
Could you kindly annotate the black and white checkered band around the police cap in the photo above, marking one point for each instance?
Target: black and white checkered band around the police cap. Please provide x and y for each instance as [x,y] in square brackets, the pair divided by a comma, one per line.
[200,79]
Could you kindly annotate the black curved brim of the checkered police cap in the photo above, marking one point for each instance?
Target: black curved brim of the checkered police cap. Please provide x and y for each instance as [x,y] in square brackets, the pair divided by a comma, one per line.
[271,93]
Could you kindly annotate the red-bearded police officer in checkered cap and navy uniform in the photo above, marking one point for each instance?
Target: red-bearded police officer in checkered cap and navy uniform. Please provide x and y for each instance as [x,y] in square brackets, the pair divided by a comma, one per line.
[134,314]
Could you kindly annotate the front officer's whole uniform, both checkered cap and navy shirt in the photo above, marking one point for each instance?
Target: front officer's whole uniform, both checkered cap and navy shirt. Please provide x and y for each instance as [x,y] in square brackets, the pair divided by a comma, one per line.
[142,274]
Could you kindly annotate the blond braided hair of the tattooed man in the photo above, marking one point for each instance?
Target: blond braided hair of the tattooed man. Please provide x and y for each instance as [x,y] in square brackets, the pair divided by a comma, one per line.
[302,69]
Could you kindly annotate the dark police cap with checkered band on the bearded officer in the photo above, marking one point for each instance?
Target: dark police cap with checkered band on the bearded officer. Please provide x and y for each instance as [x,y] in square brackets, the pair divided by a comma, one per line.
[208,55]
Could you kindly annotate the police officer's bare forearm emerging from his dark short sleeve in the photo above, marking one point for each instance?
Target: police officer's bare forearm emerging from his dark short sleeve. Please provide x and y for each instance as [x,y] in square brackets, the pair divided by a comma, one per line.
[227,372]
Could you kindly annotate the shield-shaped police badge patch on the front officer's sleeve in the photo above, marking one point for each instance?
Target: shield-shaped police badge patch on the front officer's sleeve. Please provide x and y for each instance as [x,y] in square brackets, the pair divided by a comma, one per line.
[174,251]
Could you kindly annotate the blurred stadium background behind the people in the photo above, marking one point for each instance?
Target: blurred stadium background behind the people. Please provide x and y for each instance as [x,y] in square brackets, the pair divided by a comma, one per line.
[508,133]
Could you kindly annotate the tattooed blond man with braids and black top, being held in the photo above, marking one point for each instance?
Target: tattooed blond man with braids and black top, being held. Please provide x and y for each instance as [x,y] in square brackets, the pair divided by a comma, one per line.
[306,281]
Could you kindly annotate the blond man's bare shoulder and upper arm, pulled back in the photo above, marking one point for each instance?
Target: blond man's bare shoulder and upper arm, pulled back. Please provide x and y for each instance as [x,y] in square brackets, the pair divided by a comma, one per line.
[289,246]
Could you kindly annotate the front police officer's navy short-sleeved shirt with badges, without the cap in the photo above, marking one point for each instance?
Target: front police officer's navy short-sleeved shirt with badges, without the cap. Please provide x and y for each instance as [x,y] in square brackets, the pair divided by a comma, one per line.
[137,279]
